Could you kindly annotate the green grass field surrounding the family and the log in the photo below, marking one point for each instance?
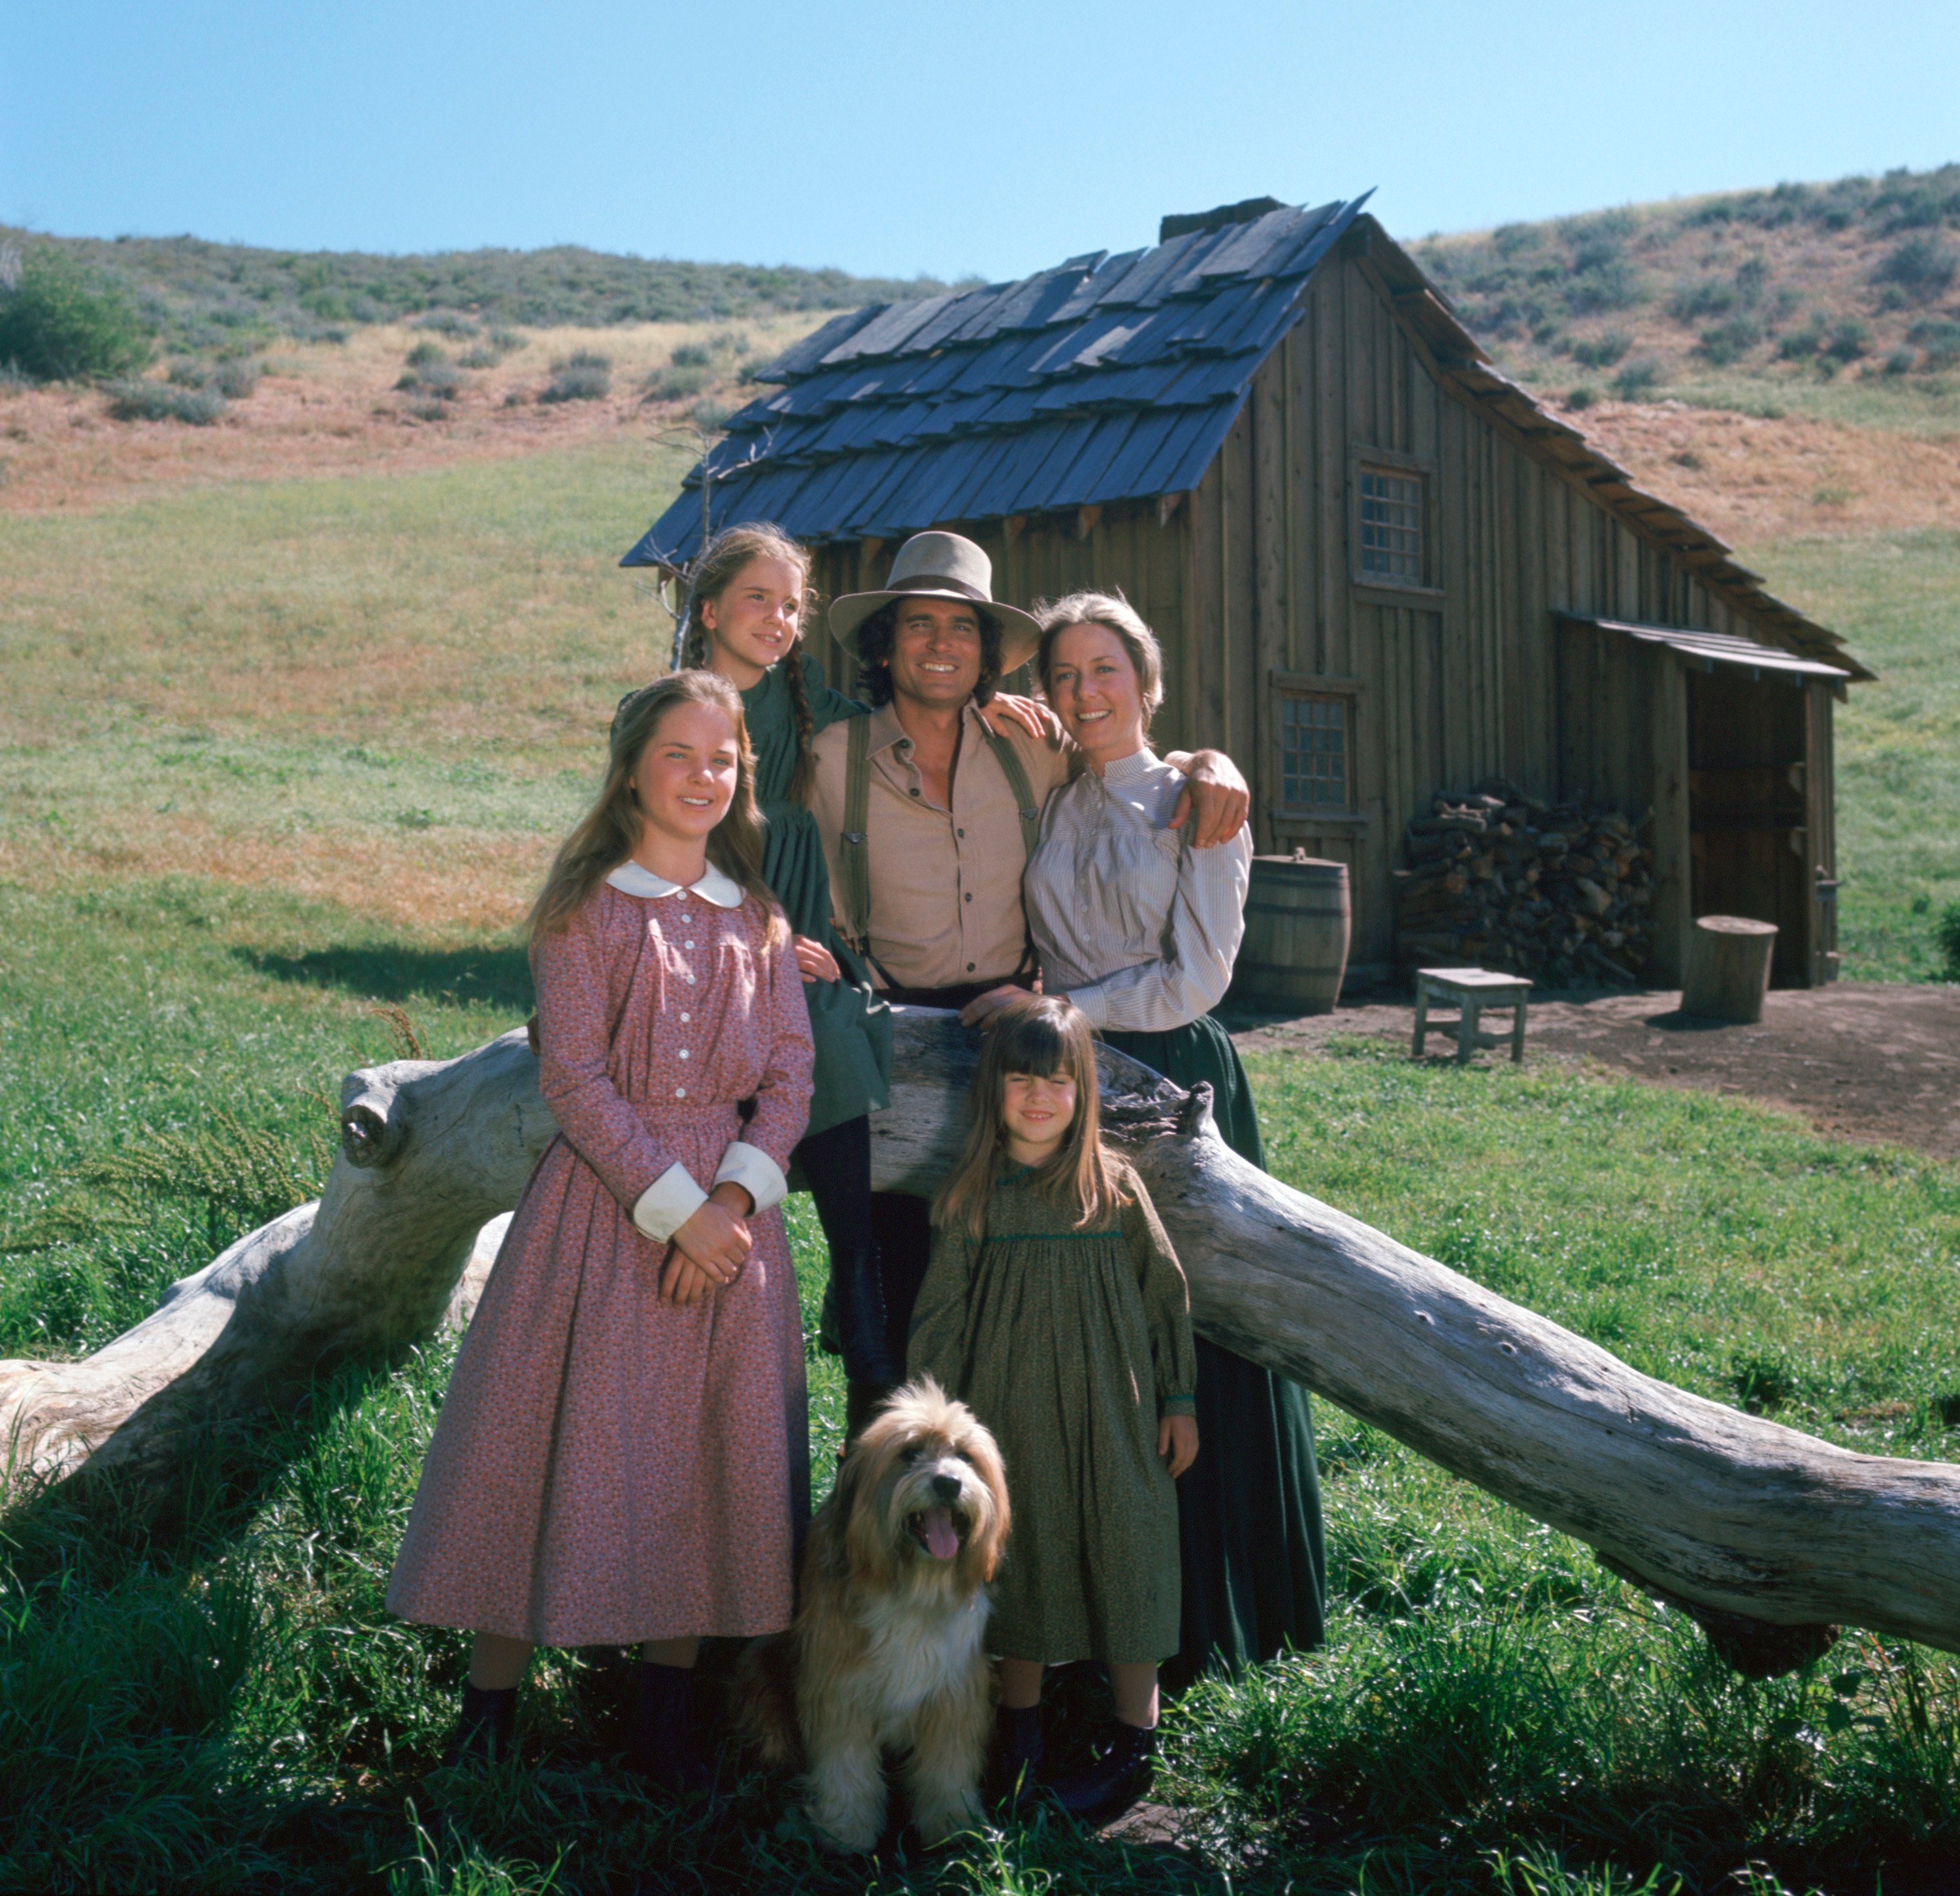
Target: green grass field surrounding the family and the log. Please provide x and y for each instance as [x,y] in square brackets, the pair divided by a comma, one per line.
[271,756]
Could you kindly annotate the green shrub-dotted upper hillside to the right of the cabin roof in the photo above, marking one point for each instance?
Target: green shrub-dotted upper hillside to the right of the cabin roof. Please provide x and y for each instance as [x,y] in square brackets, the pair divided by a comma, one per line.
[1826,299]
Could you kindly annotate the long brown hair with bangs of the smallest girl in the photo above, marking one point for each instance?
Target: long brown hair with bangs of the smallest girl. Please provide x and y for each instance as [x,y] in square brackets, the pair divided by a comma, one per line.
[1040,1034]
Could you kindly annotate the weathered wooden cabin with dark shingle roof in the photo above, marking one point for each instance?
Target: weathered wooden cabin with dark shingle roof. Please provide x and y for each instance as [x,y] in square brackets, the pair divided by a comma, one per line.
[1379,570]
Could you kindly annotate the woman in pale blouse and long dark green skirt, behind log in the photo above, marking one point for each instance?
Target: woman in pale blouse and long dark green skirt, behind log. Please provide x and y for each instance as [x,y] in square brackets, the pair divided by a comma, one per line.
[1140,930]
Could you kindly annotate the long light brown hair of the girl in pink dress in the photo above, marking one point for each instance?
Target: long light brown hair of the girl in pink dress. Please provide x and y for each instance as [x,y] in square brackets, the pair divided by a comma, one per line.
[611,830]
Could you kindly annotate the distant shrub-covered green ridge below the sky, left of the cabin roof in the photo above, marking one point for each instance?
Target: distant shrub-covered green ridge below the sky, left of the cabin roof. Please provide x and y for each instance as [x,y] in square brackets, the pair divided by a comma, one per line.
[224,297]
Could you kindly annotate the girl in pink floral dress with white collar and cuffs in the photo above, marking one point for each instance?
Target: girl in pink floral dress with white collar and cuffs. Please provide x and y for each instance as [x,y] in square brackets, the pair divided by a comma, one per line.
[622,1452]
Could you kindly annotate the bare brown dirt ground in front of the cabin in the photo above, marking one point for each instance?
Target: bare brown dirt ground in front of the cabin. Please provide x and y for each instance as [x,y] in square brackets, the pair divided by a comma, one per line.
[1867,1062]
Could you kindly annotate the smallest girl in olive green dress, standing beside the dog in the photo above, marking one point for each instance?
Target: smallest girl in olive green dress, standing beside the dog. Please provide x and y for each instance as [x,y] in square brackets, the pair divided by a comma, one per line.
[1055,1309]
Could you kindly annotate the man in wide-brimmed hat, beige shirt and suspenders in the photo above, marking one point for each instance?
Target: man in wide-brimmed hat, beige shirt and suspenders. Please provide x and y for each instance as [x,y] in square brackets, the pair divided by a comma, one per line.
[930,811]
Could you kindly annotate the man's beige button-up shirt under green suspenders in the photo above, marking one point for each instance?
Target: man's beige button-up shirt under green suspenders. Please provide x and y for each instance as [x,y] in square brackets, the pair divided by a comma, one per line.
[946,885]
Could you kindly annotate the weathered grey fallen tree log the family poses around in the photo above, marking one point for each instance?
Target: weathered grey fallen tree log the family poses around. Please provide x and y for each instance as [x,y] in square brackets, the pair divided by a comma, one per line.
[1765,1532]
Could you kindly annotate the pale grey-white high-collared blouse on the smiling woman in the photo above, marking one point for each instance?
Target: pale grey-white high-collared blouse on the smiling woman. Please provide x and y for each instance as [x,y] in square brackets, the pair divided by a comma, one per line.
[1132,924]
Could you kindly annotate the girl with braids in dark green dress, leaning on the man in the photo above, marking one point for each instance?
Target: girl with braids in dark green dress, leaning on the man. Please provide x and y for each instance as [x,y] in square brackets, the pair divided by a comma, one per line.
[744,621]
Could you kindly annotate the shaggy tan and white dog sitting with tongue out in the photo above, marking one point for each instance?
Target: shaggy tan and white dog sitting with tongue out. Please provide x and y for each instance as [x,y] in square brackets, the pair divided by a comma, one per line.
[889,1650]
